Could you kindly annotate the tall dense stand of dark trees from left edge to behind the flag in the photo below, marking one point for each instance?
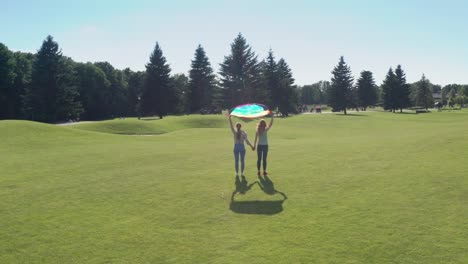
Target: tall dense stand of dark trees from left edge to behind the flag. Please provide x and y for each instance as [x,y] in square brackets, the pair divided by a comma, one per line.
[50,87]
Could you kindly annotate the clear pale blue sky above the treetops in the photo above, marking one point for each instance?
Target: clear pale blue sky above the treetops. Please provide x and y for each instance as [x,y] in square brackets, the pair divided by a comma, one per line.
[429,37]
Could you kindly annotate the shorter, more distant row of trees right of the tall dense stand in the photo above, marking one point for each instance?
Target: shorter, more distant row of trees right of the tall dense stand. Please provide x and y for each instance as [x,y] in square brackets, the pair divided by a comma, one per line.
[394,94]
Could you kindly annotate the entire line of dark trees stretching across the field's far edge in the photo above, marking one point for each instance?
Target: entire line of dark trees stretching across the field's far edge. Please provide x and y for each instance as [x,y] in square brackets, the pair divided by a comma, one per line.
[50,87]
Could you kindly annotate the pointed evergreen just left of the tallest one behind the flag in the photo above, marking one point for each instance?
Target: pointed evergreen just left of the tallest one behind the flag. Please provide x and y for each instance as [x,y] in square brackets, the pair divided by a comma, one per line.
[202,82]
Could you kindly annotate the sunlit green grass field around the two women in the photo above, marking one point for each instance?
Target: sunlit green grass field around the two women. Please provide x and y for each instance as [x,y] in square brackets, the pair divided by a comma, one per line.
[364,188]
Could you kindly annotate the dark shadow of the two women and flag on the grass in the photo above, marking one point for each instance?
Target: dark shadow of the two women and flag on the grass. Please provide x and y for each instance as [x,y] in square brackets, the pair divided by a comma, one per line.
[256,207]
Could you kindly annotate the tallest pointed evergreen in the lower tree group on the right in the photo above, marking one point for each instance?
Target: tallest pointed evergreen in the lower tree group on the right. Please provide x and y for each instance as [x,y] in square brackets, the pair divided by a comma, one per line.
[339,91]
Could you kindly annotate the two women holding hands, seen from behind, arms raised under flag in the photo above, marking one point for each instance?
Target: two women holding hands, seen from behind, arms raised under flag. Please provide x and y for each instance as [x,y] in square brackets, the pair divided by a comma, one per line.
[240,136]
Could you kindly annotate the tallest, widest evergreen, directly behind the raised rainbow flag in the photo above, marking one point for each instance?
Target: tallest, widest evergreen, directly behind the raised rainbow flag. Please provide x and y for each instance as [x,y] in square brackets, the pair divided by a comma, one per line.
[240,75]
